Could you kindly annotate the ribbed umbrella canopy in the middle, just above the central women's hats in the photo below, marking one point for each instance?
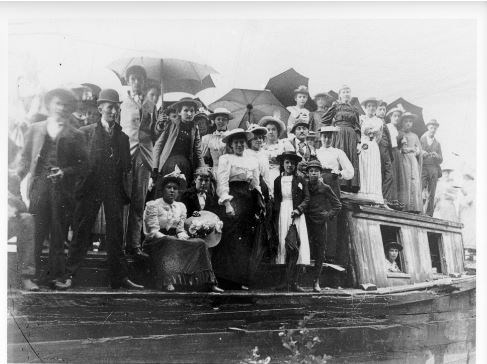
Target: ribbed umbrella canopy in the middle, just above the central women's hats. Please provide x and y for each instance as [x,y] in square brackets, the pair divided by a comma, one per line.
[249,106]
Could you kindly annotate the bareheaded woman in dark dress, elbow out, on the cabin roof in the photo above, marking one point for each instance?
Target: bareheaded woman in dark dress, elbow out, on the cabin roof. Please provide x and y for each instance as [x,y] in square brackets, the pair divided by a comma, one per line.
[346,117]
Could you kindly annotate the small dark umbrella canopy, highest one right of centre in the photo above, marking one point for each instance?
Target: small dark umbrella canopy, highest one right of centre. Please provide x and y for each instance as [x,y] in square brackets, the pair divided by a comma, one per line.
[284,84]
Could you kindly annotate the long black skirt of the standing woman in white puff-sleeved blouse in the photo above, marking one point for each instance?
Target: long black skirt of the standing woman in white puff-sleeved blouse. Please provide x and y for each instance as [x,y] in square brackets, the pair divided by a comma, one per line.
[231,258]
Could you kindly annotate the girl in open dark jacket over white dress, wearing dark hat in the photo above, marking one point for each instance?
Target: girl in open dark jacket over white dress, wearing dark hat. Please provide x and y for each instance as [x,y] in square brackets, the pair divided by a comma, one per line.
[291,198]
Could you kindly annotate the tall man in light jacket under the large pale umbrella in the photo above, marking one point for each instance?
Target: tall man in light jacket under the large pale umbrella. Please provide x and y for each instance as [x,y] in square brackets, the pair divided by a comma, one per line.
[137,119]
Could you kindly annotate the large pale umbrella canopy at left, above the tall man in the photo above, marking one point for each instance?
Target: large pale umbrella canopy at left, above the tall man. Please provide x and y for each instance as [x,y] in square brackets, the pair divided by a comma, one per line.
[175,75]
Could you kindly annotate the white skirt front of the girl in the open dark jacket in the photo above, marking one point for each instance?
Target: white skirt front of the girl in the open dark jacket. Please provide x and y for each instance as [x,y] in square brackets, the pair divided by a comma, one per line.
[285,222]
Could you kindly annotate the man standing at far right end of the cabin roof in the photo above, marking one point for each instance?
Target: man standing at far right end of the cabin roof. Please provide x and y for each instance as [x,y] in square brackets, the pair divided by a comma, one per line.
[432,159]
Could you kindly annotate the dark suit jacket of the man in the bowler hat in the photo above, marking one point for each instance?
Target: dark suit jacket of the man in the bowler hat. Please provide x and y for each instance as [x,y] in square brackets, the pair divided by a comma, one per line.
[92,134]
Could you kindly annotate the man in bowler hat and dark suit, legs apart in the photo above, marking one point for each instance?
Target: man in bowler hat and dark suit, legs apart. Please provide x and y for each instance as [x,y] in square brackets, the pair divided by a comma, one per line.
[107,181]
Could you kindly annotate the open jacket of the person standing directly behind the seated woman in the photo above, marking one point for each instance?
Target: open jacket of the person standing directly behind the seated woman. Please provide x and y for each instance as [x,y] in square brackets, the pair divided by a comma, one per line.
[165,143]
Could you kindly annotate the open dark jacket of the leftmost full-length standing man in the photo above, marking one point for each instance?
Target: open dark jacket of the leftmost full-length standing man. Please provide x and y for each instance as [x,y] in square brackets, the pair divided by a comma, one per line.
[71,155]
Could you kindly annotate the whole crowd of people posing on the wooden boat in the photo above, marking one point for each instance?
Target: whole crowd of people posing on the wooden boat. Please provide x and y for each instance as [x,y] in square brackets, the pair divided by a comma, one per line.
[155,172]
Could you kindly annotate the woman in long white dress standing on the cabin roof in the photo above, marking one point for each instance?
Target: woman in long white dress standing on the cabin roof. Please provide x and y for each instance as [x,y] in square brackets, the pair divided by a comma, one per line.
[369,154]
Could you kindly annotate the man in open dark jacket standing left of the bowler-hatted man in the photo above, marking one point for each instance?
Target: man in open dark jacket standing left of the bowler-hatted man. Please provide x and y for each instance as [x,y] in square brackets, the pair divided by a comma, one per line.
[55,155]
